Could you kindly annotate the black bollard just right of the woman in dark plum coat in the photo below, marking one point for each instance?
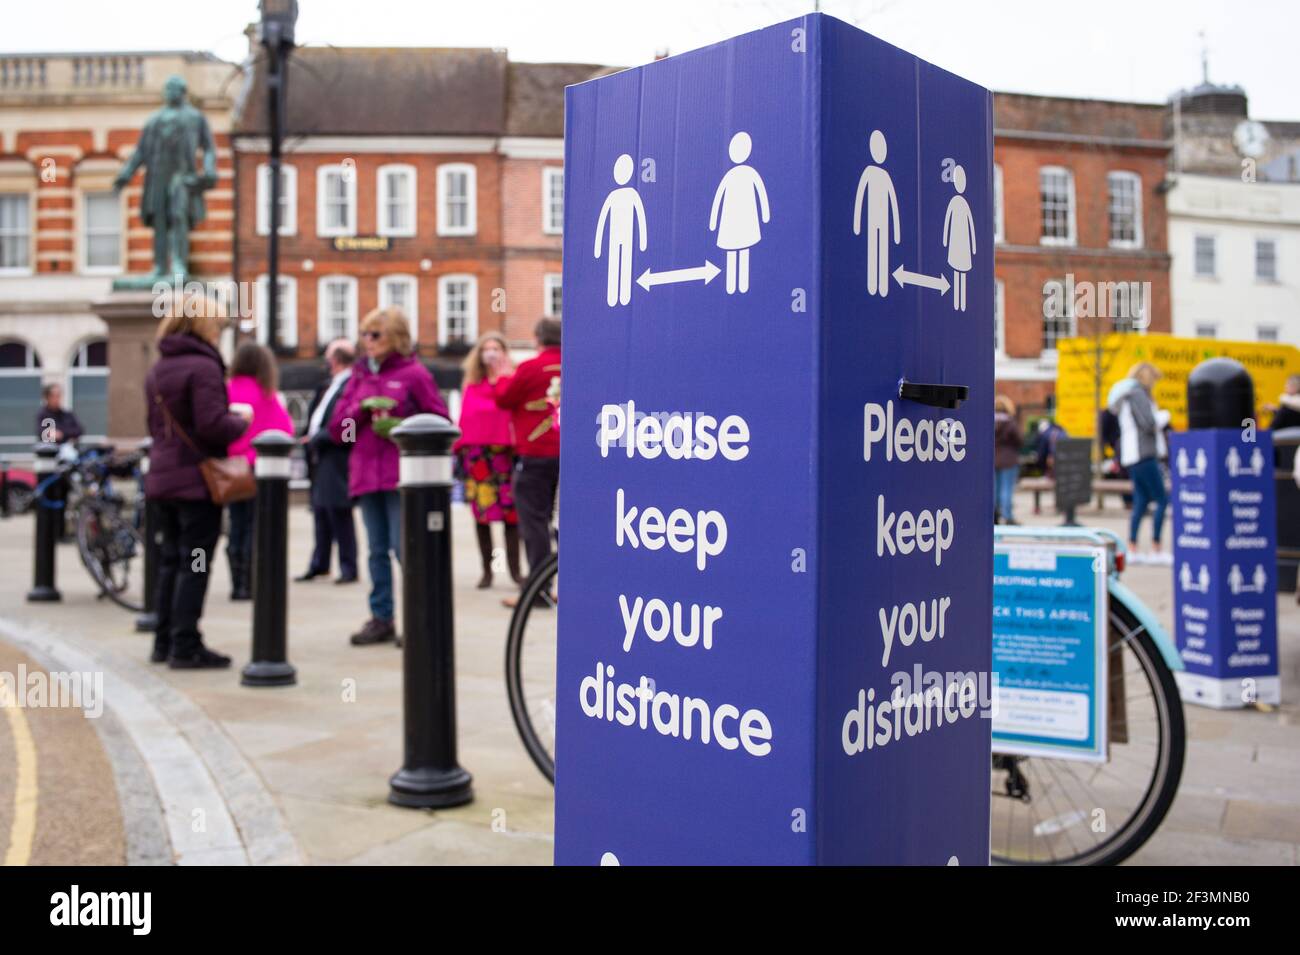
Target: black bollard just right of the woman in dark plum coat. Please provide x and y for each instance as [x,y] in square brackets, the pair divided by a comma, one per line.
[270,666]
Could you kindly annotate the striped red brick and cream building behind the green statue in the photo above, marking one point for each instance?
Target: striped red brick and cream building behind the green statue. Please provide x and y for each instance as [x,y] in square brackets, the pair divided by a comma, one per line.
[67,124]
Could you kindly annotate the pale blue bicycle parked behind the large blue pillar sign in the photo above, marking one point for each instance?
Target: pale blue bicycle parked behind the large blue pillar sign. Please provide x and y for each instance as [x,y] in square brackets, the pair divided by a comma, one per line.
[1134,801]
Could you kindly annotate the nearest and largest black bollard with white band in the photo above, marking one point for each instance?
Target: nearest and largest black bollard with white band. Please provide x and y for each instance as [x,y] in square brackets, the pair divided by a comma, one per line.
[430,776]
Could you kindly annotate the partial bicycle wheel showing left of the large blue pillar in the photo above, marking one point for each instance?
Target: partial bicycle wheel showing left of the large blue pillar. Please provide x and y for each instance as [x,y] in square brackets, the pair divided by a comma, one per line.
[531,666]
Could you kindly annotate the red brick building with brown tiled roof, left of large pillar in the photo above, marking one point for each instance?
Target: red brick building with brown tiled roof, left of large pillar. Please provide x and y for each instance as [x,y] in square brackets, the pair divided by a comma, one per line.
[427,179]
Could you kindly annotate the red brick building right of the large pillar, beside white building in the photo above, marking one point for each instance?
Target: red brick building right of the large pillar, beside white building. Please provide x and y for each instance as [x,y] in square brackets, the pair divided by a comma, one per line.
[1080,196]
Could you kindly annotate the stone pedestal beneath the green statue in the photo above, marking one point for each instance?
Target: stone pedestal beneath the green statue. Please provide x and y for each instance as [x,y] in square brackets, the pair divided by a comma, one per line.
[132,327]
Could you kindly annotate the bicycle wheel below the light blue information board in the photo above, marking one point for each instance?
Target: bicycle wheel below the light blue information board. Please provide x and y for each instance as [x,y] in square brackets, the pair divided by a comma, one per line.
[1067,813]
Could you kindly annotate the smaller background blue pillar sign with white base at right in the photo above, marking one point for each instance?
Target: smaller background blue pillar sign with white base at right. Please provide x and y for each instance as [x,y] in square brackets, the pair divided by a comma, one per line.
[1225,561]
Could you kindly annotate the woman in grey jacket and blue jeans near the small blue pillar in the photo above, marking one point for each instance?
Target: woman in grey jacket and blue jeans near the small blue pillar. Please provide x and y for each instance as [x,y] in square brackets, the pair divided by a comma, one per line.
[1142,446]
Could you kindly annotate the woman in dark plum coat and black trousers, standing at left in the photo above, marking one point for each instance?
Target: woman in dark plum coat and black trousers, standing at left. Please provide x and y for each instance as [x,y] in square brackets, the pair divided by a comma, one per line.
[189,420]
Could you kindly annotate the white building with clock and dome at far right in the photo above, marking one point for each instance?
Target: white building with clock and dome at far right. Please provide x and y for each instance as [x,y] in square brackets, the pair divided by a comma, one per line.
[1234,220]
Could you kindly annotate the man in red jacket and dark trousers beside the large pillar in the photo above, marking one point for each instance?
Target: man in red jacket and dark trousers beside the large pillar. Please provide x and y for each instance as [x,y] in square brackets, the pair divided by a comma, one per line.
[538,441]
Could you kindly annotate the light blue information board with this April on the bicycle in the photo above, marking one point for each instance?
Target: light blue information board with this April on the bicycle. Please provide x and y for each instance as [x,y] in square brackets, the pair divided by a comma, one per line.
[1050,650]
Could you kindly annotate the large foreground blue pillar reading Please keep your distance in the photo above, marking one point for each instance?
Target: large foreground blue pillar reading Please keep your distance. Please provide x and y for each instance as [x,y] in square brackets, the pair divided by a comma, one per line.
[777,497]
